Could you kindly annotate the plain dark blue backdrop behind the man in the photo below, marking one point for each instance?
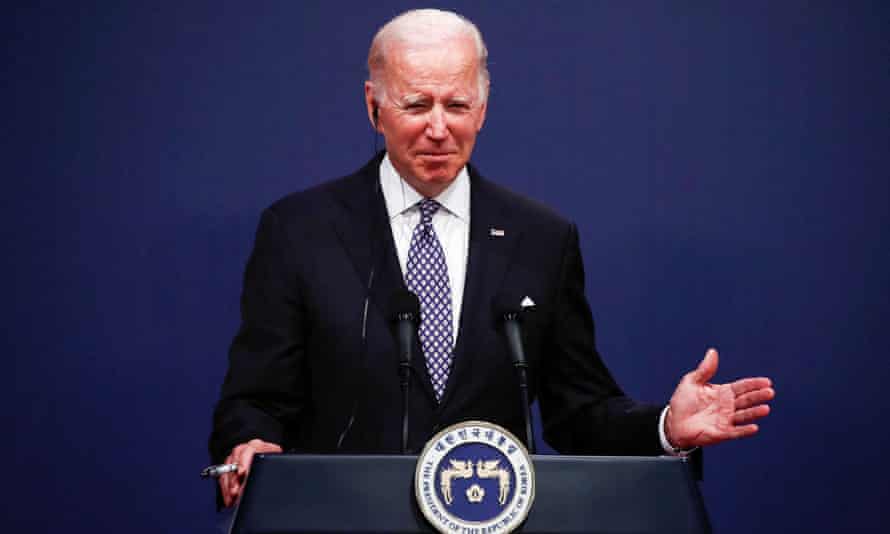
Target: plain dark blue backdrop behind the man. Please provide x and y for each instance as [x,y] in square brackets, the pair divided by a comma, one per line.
[726,163]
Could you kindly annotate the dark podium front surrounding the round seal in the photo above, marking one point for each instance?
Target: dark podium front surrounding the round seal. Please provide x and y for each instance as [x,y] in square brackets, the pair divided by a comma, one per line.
[574,494]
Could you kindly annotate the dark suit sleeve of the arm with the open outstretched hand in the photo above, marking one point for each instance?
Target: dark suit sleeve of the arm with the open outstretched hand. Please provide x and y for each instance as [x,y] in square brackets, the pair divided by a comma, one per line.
[583,408]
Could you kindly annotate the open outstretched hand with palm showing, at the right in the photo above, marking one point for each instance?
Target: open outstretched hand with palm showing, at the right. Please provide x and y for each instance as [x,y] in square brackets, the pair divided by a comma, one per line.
[702,413]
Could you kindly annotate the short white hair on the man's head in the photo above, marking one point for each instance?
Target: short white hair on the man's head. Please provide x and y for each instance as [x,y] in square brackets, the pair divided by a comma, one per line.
[423,27]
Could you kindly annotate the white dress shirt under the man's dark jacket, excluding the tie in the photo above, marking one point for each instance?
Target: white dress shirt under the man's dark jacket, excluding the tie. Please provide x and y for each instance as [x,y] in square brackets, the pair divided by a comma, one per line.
[451,223]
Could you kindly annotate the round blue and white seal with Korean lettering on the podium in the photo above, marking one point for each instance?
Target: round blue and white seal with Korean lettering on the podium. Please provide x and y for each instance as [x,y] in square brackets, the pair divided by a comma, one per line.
[473,478]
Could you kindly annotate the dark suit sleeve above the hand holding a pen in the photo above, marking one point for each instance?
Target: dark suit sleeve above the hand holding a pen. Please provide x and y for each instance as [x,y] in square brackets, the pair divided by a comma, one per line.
[262,396]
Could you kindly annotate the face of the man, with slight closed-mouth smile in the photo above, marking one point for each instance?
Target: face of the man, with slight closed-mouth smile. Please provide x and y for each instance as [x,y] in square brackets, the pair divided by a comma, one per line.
[431,113]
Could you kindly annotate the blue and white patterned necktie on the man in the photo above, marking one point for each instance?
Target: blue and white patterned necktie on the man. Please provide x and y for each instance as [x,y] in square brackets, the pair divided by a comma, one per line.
[427,276]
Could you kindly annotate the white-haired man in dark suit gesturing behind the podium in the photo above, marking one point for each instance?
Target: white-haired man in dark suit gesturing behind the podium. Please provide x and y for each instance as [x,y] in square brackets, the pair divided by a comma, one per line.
[314,366]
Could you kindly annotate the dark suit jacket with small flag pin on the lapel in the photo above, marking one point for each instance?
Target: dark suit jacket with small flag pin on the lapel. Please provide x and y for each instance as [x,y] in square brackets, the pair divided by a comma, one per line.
[299,367]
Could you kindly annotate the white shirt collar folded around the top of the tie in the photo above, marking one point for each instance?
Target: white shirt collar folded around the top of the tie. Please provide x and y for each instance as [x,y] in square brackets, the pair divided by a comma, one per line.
[400,196]
